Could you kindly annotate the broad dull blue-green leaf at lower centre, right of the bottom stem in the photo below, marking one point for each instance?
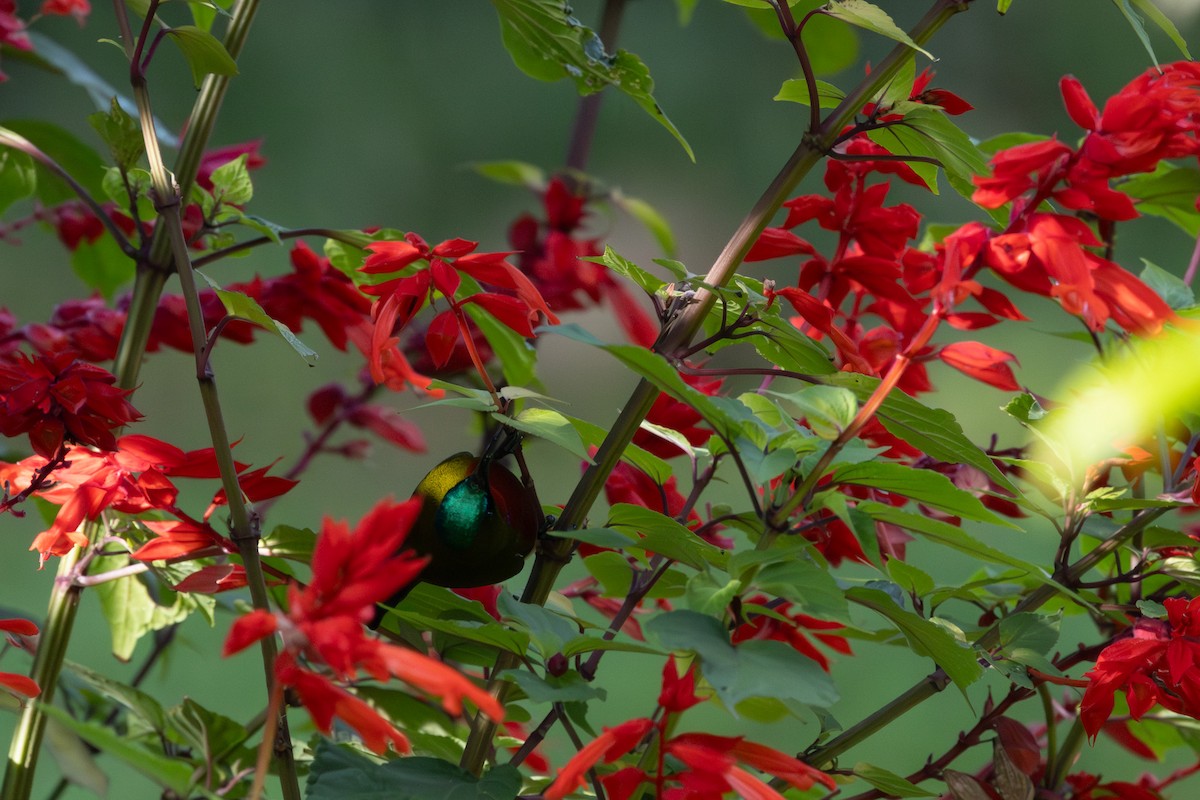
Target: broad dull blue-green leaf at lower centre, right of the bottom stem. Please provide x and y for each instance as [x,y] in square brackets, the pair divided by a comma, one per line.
[752,670]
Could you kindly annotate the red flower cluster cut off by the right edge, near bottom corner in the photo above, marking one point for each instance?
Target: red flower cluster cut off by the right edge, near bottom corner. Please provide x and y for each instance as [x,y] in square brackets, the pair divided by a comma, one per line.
[1160,664]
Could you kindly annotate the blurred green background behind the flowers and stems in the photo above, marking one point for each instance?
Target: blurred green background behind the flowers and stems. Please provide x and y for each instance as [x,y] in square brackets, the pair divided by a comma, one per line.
[370,113]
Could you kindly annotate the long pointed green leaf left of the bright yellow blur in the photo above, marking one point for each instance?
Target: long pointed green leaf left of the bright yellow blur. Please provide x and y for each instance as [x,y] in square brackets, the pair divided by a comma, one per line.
[933,431]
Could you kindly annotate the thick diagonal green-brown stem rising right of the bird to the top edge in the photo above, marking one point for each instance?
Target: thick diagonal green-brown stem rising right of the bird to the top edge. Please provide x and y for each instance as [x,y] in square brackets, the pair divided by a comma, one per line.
[679,333]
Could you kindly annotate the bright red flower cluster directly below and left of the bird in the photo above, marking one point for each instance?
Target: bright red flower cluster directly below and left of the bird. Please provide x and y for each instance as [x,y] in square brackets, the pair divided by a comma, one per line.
[352,572]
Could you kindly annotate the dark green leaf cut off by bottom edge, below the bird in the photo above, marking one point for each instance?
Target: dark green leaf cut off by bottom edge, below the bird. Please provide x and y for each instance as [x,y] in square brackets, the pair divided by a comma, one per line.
[339,773]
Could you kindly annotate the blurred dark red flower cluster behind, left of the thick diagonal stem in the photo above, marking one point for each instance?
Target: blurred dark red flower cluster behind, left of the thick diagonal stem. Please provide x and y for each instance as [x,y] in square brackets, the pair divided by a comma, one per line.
[550,252]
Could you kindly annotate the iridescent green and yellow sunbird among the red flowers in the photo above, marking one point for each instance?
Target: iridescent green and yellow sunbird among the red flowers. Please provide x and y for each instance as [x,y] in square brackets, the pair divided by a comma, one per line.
[478,522]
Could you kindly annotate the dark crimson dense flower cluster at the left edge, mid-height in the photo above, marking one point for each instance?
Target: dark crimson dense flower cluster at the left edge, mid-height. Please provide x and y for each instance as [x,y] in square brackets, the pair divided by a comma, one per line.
[58,400]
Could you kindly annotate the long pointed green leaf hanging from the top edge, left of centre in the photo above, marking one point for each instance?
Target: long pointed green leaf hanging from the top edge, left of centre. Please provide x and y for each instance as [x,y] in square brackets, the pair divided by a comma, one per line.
[550,45]
